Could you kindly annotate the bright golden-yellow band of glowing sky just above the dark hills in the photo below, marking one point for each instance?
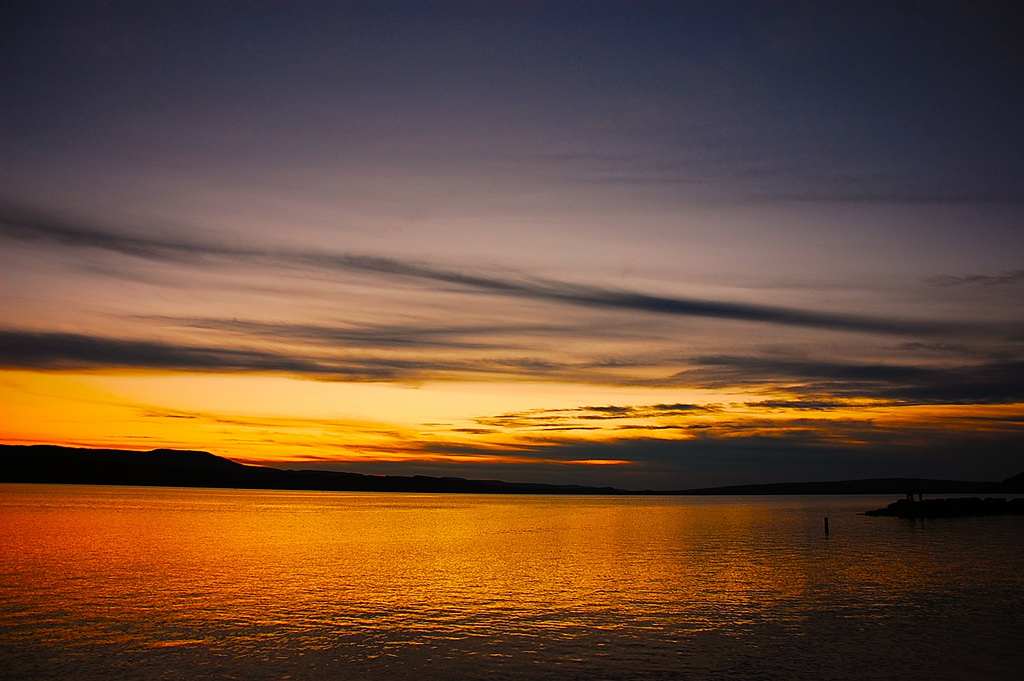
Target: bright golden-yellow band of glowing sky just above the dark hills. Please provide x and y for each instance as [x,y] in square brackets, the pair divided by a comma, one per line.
[277,420]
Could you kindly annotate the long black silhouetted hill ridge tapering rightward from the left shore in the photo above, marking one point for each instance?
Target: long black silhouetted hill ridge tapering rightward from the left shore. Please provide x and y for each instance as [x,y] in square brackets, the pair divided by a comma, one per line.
[44,463]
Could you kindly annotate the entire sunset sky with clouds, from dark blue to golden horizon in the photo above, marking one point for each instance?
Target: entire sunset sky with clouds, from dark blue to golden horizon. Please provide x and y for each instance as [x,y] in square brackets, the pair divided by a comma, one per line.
[643,244]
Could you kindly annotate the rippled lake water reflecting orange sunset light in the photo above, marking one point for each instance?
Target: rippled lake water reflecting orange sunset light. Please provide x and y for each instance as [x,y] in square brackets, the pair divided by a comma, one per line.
[132,583]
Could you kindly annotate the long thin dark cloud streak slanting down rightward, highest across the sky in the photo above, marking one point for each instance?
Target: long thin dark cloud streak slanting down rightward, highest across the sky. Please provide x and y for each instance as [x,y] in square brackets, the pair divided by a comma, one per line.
[24,227]
